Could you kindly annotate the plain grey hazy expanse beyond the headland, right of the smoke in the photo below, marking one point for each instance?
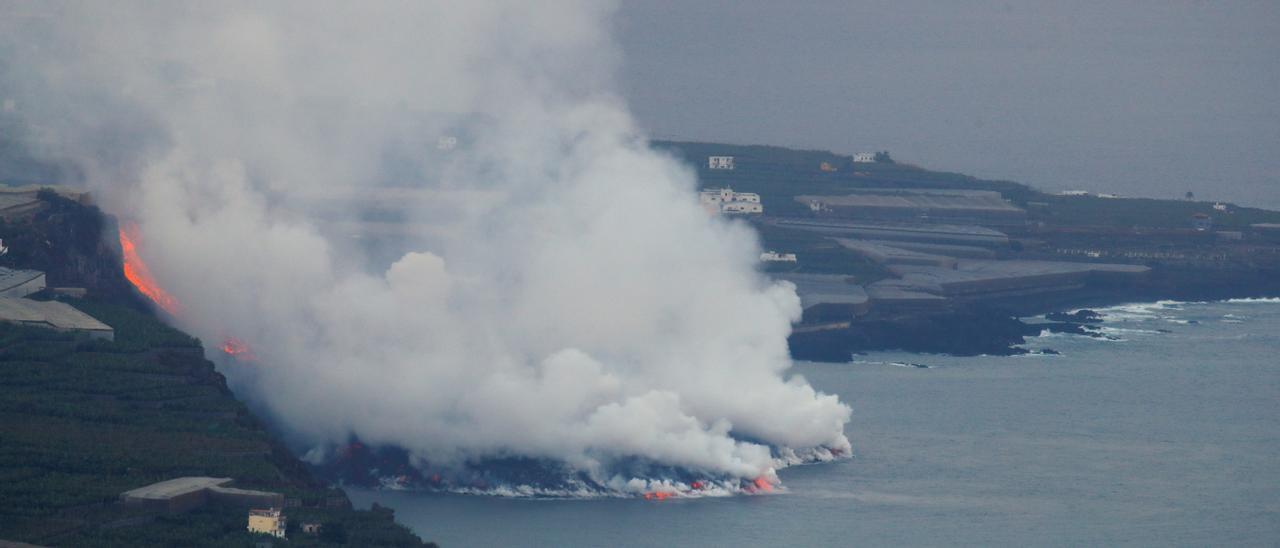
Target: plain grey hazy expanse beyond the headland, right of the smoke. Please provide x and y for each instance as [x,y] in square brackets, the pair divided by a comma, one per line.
[1136,98]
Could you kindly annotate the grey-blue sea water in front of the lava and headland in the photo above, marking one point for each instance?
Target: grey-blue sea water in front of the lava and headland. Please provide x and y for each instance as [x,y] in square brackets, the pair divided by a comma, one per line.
[1168,432]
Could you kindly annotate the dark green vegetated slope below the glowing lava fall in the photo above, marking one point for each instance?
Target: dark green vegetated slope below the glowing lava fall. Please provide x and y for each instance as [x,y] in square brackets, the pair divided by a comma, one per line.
[84,421]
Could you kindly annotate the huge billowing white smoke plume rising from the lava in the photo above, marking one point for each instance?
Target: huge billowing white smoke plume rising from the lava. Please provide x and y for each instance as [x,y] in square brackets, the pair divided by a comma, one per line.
[556,293]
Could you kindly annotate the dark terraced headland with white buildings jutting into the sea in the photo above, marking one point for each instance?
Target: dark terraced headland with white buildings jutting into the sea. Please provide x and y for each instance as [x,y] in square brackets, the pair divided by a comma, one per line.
[894,257]
